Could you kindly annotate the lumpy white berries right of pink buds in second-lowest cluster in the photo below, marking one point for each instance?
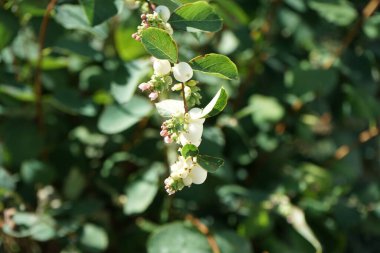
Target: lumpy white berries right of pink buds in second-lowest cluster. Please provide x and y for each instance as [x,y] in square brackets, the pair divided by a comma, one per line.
[194,132]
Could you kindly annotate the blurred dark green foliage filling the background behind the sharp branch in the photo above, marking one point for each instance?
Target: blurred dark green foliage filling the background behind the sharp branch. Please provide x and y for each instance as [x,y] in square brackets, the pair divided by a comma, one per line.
[82,163]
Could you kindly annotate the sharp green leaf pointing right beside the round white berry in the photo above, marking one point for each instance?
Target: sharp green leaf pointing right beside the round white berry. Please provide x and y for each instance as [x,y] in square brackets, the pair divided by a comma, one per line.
[216,65]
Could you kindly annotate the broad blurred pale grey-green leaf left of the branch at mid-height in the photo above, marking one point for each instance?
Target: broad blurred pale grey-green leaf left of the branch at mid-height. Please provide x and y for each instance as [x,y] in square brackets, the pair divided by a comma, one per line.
[117,118]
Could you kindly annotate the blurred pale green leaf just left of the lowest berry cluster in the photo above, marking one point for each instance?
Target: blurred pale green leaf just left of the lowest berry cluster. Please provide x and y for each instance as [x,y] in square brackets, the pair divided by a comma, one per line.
[141,192]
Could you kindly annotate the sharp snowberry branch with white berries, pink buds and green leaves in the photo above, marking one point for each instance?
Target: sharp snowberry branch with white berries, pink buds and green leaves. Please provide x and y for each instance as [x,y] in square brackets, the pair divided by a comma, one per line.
[173,79]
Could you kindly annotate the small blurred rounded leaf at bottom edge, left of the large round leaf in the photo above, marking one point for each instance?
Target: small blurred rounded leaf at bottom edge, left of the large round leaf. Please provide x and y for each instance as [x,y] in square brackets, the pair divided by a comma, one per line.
[94,237]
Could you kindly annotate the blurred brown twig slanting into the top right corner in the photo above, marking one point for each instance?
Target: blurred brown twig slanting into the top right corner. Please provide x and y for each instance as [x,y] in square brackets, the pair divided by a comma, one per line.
[368,10]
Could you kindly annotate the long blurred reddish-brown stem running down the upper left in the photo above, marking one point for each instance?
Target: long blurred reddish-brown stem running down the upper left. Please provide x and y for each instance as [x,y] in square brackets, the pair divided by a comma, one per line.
[37,81]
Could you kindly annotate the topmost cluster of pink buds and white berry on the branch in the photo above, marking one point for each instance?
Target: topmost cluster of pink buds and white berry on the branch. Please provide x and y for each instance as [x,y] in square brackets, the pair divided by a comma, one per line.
[159,18]
